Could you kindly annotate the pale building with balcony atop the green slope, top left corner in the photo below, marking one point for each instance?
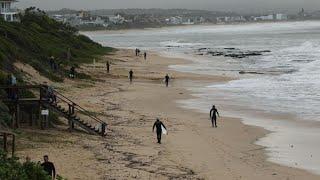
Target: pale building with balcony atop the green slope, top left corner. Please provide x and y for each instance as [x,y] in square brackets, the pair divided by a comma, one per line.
[7,12]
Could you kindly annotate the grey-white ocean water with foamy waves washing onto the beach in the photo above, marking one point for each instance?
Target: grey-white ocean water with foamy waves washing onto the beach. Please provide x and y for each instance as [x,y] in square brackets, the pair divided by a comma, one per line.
[288,83]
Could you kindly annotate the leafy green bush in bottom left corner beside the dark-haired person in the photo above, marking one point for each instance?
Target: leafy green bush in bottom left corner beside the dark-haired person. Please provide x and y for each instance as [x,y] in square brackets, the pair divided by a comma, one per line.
[12,169]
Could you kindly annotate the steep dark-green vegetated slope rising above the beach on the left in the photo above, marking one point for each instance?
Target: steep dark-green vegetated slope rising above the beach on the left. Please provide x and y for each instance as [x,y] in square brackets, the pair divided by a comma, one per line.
[37,37]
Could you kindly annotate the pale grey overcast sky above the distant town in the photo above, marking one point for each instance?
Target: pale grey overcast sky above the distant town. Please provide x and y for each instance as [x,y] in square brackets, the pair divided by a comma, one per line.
[223,5]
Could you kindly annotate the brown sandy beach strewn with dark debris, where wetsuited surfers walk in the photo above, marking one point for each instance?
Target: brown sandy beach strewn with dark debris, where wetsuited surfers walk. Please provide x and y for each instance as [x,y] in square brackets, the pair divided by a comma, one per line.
[191,150]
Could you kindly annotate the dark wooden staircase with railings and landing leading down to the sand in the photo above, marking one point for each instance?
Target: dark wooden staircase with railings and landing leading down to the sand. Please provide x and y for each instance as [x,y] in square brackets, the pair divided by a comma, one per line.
[74,113]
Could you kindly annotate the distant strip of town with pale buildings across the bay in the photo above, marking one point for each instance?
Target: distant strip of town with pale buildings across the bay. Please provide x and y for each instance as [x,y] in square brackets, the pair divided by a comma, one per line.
[148,18]
